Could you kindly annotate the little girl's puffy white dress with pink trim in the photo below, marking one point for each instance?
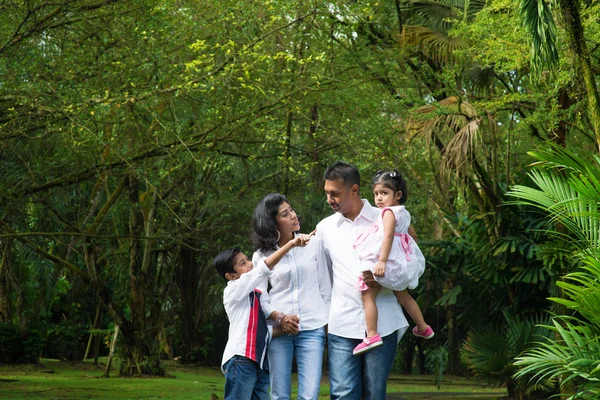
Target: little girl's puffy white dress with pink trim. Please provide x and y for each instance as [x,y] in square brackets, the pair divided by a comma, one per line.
[405,263]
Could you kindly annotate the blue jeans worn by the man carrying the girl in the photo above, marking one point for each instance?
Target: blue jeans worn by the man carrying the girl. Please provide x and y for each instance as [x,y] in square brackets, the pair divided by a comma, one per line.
[360,377]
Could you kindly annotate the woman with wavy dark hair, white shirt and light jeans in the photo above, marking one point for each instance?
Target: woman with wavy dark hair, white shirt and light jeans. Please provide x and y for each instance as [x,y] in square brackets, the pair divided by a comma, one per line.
[298,301]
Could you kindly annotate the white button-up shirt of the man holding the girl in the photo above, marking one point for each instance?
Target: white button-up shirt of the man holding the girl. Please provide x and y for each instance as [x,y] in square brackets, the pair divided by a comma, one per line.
[346,315]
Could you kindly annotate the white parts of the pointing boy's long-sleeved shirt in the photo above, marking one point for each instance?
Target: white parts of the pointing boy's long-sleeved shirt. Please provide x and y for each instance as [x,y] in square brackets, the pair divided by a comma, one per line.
[235,300]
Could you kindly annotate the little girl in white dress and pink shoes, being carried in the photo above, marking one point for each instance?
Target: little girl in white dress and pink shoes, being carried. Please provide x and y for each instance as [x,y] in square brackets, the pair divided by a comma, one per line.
[392,255]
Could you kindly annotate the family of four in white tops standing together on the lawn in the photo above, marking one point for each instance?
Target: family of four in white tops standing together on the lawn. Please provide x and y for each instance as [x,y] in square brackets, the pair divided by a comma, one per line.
[300,292]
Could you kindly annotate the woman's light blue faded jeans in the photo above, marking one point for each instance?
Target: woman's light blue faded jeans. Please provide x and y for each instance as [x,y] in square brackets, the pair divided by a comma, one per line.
[308,348]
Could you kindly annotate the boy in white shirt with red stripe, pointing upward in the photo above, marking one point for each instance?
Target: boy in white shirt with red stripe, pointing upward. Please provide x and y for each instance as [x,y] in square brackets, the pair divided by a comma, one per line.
[244,359]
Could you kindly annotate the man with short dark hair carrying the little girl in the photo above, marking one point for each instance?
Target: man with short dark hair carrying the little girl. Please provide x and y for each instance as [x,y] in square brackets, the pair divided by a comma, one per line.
[362,376]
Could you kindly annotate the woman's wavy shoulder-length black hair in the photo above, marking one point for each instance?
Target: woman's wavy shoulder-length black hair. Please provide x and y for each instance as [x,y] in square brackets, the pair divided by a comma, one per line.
[264,222]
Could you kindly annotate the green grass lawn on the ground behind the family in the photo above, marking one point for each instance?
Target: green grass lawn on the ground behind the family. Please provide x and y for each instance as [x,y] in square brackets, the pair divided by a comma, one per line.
[52,379]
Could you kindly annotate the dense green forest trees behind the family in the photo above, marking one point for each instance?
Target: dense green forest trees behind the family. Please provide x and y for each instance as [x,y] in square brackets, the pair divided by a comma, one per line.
[136,137]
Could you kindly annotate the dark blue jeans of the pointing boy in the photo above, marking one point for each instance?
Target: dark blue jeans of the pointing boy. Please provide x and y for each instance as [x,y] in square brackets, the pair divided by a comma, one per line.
[245,380]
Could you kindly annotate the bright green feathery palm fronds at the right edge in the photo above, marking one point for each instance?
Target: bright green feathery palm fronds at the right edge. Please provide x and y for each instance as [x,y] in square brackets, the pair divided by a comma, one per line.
[568,190]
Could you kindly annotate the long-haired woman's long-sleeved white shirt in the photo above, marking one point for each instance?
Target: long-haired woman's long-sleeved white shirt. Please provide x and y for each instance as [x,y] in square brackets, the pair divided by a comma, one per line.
[301,285]
